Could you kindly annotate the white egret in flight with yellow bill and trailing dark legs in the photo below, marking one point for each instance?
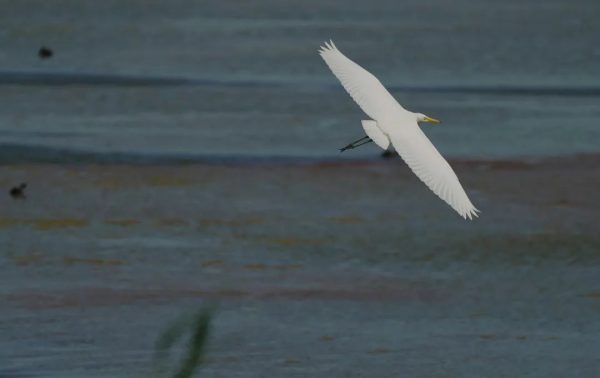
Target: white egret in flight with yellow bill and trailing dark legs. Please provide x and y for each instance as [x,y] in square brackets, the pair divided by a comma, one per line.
[391,123]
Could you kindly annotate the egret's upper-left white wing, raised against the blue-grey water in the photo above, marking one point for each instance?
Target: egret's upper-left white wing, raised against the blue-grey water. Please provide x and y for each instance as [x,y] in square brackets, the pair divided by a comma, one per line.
[363,87]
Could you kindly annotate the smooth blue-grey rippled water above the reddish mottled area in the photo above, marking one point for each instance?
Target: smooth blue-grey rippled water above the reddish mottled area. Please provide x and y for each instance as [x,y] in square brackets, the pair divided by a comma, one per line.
[508,79]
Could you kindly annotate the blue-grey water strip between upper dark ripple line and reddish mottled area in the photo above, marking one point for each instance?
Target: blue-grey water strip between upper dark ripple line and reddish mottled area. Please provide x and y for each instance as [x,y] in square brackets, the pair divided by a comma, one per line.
[197,122]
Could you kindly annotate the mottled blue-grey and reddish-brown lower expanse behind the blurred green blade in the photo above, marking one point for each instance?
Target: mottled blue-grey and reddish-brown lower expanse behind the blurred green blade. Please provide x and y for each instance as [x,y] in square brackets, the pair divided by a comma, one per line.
[333,268]
